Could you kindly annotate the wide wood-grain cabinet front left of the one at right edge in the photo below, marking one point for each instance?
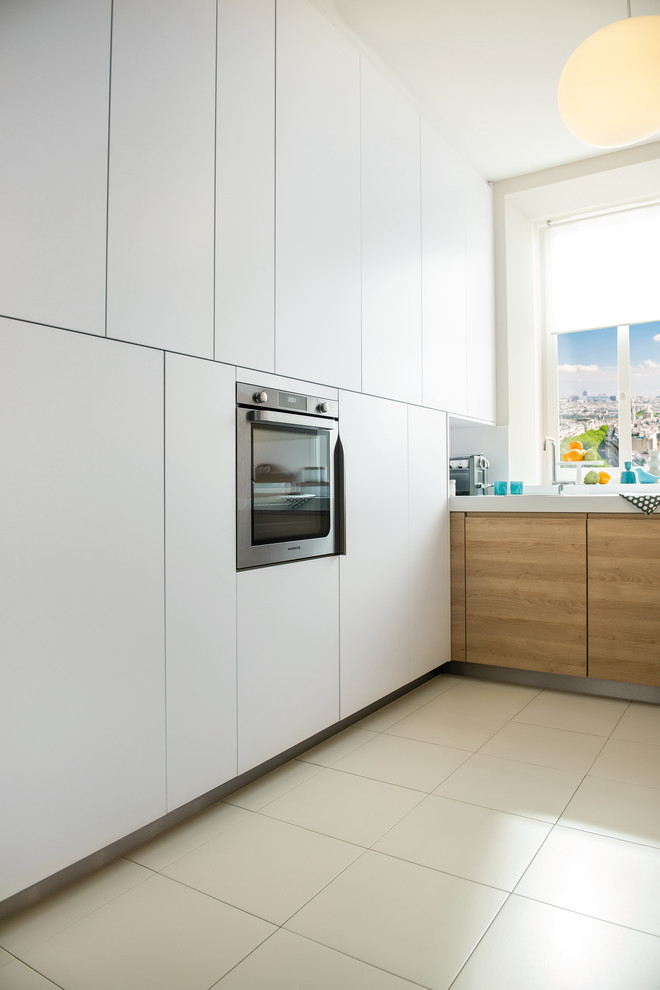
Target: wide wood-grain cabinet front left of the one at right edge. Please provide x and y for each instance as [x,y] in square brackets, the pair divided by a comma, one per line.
[526,595]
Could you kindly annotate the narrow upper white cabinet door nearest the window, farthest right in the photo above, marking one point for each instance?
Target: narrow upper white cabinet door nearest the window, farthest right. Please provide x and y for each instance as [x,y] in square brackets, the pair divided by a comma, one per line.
[480,300]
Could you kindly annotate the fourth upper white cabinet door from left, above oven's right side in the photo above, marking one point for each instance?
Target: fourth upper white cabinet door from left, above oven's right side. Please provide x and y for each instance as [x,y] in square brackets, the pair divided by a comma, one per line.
[318,199]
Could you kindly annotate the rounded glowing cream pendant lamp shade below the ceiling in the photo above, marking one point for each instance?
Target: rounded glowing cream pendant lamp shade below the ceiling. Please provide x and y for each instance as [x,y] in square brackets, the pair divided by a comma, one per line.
[609,91]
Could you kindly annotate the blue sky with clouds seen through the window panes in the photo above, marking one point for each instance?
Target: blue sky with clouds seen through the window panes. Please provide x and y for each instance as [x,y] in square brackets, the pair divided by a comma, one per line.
[588,360]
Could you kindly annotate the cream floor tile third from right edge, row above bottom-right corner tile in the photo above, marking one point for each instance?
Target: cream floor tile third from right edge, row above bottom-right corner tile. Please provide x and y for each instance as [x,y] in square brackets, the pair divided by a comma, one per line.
[342,805]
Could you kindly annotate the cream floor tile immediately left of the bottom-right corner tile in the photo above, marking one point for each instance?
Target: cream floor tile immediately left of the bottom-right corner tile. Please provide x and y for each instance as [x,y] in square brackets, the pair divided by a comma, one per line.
[416,923]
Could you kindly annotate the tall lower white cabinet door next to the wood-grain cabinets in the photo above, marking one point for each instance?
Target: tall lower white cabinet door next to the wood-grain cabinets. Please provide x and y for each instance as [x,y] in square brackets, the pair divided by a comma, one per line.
[429,540]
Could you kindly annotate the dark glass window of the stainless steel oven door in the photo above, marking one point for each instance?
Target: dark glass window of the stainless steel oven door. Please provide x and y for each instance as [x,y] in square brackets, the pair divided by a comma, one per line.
[290,483]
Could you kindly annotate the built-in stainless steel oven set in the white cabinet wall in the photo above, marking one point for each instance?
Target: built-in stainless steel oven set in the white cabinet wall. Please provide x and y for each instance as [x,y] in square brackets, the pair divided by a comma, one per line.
[289,476]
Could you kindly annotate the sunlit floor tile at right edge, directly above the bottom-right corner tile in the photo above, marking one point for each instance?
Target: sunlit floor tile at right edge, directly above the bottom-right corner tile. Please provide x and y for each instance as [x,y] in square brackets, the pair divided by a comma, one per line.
[606,878]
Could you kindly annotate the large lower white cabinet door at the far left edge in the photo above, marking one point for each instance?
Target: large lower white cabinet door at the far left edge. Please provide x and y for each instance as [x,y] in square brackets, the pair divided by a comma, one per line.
[81,543]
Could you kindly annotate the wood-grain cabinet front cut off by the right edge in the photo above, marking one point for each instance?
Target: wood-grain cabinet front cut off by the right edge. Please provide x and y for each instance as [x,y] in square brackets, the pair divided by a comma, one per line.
[624,598]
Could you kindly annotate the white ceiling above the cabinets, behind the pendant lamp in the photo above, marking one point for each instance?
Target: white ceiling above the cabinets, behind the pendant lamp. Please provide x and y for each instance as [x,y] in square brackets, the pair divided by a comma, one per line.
[486,71]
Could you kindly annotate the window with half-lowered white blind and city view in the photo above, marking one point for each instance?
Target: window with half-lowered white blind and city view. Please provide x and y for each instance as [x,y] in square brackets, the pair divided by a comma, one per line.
[603,304]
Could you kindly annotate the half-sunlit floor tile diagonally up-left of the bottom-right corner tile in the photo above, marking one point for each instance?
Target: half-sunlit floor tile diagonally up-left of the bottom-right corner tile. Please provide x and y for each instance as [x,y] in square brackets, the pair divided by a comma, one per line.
[475,843]
